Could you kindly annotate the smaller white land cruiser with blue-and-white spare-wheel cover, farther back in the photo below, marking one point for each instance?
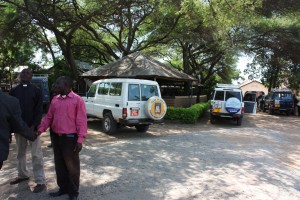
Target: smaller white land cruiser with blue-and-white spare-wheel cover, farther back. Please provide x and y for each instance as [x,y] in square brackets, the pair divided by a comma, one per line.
[228,102]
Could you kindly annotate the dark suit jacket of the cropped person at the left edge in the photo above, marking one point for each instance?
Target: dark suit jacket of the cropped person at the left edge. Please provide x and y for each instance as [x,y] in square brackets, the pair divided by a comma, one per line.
[11,122]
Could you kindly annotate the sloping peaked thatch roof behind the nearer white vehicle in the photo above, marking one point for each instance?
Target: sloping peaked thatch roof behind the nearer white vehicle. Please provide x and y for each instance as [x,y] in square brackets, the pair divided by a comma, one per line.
[137,65]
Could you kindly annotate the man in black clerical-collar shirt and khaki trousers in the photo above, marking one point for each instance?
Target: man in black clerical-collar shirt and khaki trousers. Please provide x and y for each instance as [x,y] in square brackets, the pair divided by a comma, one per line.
[31,102]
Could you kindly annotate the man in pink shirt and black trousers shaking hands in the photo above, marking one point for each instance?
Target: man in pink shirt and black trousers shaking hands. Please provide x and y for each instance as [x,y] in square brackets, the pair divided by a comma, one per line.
[67,118]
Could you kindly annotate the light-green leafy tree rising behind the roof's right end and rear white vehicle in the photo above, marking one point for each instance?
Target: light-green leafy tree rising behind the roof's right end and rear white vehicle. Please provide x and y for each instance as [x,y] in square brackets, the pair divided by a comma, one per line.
[207,39]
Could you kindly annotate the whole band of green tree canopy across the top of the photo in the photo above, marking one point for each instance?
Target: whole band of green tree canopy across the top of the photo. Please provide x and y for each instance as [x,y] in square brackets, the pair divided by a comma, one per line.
[202,38]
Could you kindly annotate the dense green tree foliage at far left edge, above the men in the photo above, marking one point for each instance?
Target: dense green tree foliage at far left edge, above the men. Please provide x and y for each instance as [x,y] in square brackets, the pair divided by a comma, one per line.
[16,46]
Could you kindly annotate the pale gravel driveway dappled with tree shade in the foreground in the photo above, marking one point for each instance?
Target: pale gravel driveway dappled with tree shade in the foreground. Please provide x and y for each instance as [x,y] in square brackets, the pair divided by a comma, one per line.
[259,160]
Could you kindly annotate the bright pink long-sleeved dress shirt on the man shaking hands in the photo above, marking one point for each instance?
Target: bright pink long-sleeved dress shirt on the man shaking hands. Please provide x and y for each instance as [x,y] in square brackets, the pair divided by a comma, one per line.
[65,116]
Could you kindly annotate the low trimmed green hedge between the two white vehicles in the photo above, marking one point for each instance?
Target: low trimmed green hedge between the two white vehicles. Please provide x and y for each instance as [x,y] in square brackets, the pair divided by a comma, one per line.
[187,115]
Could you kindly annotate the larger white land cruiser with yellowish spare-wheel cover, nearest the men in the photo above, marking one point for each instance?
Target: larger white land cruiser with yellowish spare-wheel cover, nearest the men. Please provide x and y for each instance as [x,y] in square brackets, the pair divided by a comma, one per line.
[125,102]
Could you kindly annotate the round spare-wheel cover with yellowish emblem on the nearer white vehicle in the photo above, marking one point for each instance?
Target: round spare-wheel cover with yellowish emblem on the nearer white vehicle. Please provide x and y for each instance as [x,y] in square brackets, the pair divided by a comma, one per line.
[155,108]
